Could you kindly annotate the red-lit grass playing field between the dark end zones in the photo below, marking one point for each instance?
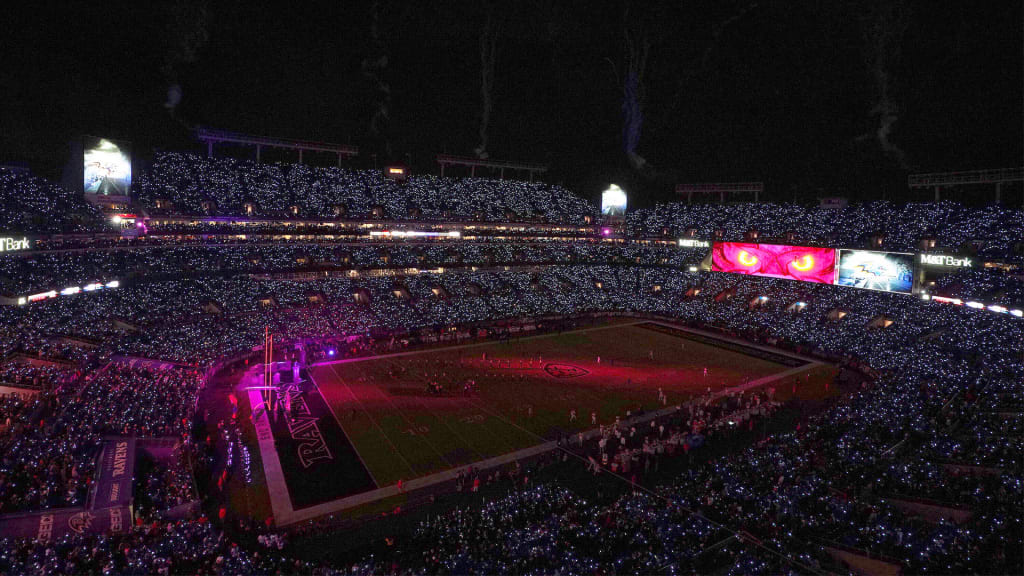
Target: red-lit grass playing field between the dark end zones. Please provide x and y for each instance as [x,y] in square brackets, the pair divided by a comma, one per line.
[401,432]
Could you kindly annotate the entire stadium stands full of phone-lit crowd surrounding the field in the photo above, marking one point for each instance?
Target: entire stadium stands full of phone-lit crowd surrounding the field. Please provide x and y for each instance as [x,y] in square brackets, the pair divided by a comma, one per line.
[917,467]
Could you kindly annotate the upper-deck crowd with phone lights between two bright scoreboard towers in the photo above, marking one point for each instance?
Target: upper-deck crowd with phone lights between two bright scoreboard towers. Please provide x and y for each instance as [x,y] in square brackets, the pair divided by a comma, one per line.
[189,182]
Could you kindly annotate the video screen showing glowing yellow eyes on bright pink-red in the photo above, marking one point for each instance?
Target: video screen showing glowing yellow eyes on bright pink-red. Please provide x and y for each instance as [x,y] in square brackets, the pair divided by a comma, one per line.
[776,261]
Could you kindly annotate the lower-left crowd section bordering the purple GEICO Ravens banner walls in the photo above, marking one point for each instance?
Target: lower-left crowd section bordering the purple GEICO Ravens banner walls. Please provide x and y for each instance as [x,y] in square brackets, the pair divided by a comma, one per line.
[51,440]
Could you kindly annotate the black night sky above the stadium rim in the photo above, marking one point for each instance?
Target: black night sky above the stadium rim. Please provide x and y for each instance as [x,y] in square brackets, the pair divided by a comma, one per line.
[781,92]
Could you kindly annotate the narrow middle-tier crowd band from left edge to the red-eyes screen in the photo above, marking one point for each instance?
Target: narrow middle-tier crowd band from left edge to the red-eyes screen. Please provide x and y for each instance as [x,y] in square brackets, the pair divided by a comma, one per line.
[47,270]
